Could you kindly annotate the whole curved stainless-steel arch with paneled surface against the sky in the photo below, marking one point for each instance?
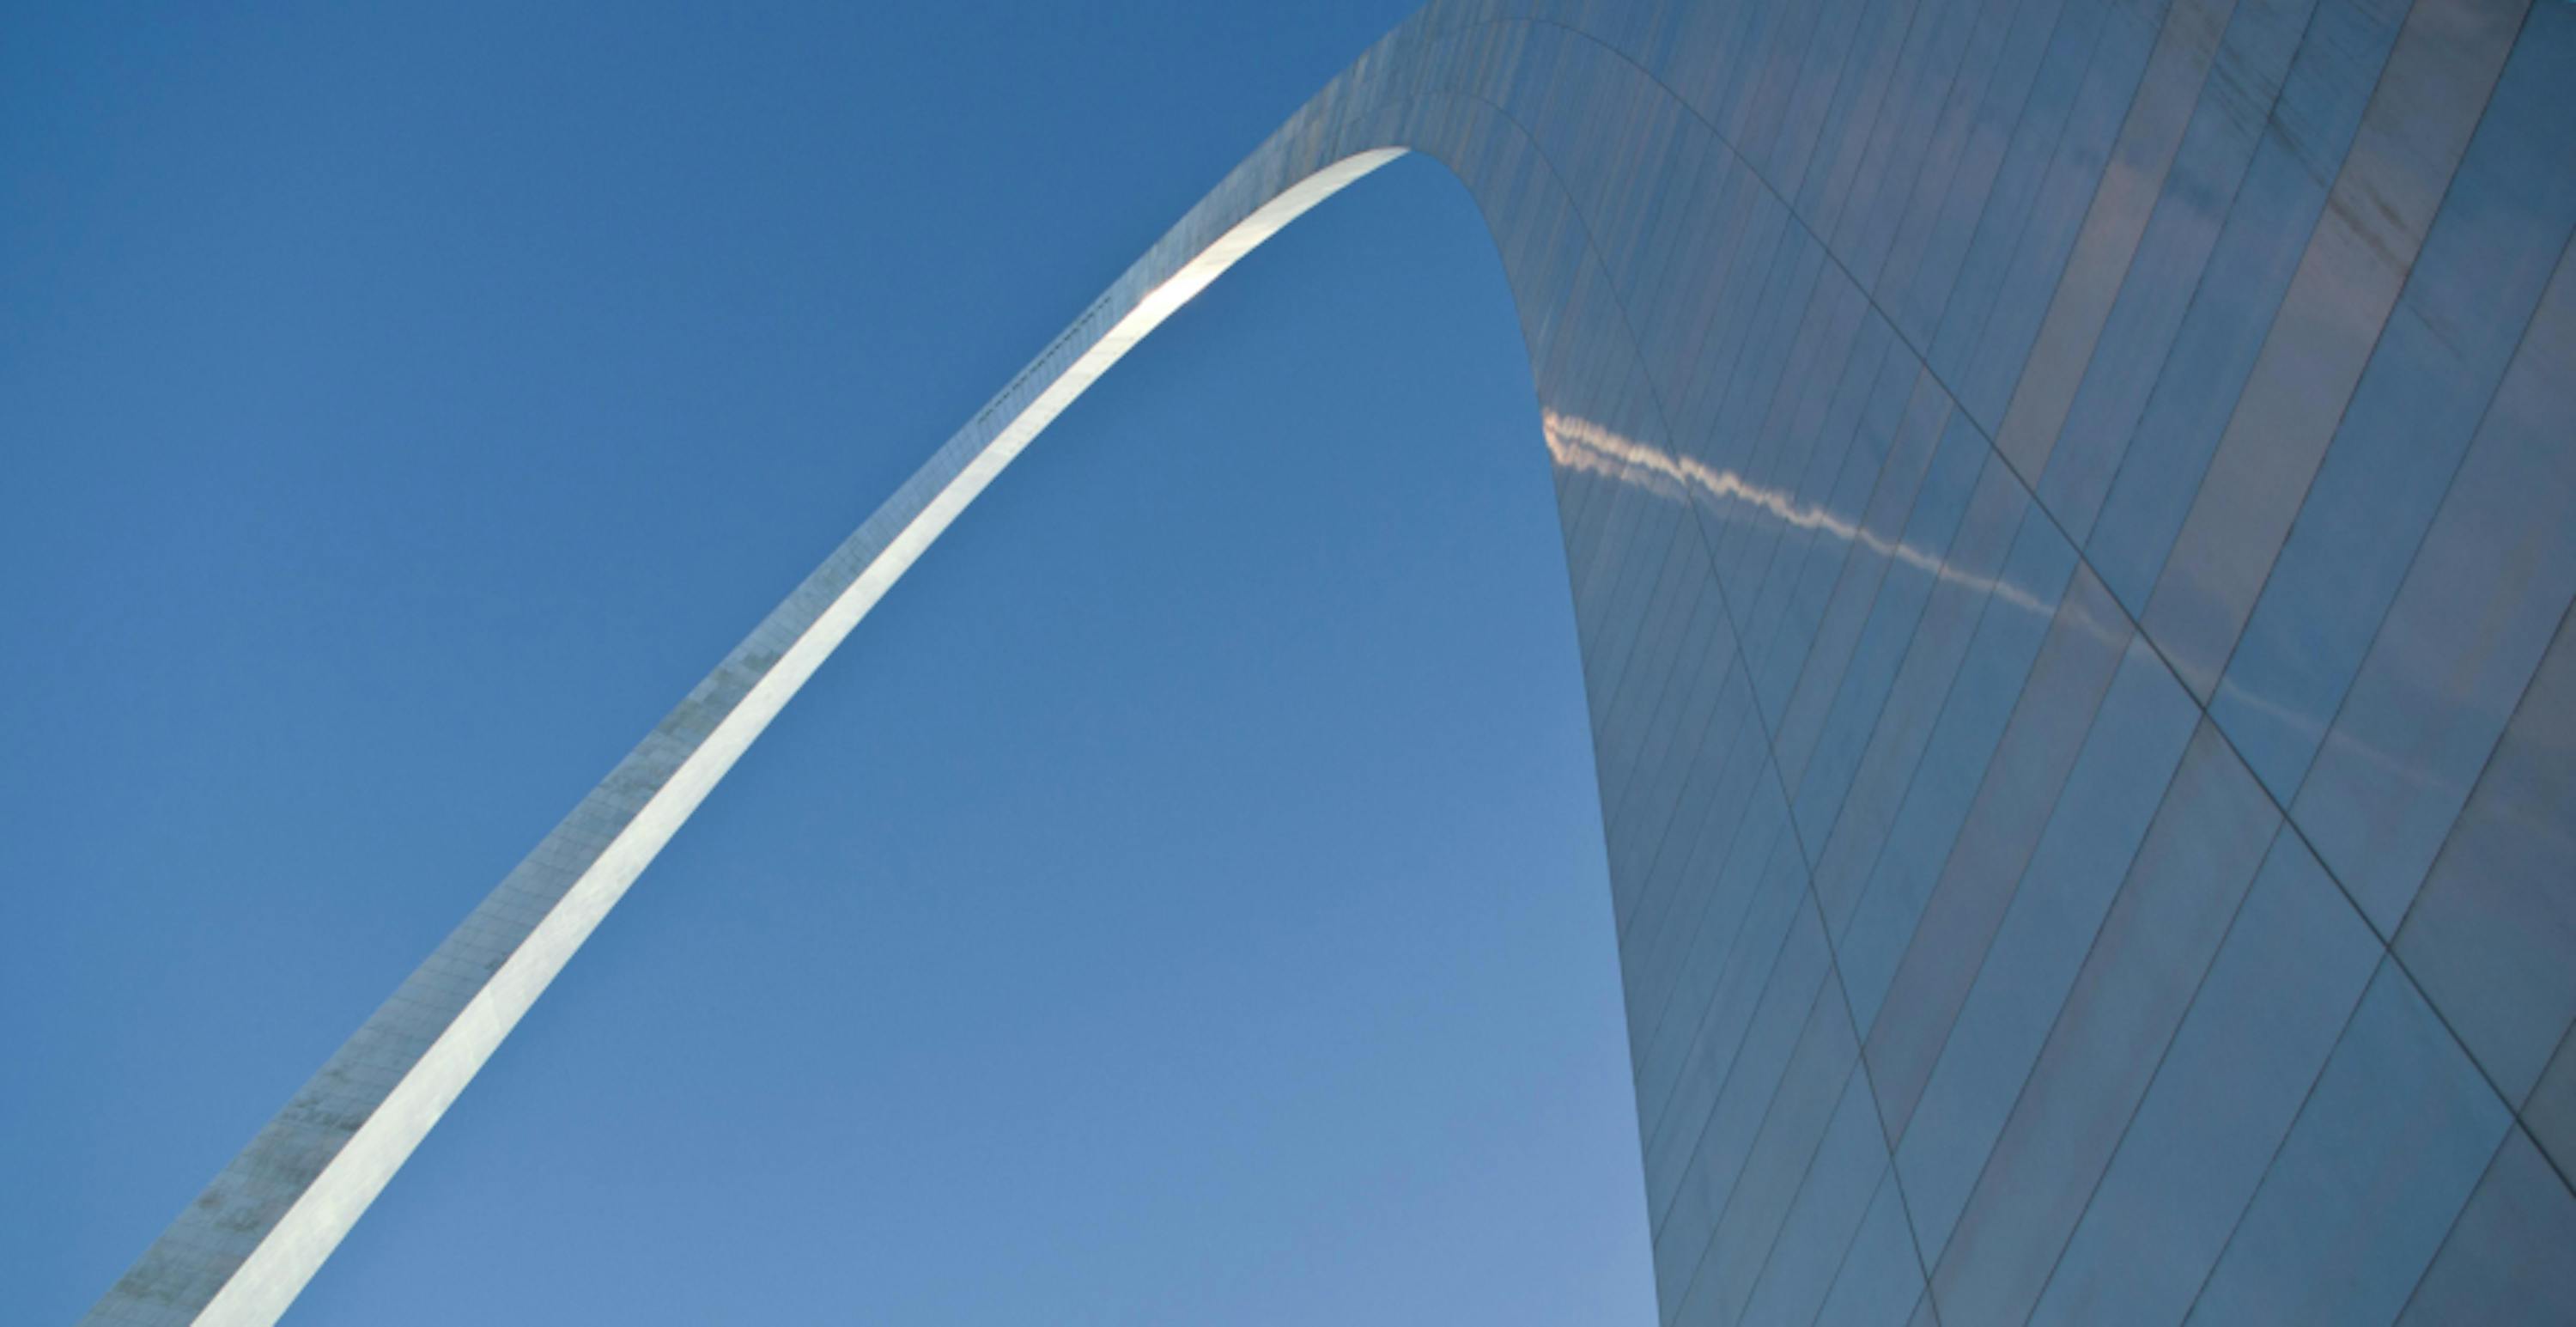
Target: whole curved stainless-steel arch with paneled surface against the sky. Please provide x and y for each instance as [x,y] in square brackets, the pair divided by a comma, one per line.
[2072,519]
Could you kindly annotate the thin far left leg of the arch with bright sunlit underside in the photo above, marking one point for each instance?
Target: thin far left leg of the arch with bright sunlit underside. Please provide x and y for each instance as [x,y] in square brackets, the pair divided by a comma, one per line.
[249,1246]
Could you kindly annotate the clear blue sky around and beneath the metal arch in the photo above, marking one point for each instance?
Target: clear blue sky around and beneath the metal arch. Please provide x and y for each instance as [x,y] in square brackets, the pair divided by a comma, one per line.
[1184,898]
